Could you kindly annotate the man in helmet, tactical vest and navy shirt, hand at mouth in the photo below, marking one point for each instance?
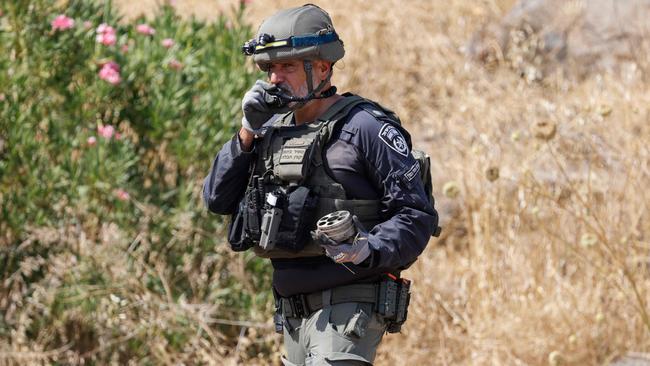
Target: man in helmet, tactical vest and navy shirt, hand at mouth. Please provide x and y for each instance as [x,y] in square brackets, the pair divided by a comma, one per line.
[304,152]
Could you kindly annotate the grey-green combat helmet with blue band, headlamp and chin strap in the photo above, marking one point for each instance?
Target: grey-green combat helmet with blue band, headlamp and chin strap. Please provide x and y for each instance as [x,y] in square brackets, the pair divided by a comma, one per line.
[304,32]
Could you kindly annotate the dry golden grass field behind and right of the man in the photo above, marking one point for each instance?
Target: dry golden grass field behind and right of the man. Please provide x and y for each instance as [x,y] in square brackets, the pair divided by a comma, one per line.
[541,186]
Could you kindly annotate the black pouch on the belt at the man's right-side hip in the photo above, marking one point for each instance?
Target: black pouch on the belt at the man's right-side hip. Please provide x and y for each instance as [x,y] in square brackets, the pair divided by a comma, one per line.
[393,299]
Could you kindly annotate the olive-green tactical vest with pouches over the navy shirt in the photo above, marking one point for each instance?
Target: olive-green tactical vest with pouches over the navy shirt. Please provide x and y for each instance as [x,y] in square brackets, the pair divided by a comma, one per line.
[290,188]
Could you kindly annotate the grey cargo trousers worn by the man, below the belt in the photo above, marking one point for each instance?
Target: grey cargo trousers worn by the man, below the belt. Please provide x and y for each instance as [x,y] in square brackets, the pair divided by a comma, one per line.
[341,334]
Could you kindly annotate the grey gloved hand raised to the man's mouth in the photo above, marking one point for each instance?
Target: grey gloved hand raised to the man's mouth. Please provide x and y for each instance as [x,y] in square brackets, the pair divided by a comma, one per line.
[255,108]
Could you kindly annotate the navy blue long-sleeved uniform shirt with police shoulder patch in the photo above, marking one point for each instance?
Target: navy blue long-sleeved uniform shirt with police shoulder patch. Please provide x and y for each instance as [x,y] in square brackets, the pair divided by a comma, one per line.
[370,159]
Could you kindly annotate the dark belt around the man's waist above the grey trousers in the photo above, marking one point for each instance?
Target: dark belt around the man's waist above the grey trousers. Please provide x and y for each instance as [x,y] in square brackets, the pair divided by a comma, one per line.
[303,305]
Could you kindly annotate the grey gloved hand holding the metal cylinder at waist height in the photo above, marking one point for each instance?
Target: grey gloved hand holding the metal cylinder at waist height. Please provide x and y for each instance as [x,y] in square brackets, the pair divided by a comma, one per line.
[355,252]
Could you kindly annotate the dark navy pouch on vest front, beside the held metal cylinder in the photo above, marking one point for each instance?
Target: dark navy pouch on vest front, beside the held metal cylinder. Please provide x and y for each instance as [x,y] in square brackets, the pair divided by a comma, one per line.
[298,218]
